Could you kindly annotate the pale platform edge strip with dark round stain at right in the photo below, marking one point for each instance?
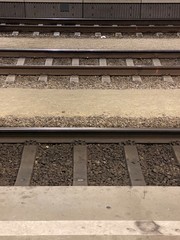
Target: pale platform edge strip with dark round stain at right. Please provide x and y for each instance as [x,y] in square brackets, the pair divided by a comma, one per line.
[88,228]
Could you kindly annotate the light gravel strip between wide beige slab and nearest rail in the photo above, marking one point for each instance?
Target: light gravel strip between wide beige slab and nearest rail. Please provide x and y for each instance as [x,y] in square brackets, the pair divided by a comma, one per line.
[95,121]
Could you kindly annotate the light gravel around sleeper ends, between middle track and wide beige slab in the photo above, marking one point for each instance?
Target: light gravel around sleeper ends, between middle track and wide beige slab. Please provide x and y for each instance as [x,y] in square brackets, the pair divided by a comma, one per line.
[91,82]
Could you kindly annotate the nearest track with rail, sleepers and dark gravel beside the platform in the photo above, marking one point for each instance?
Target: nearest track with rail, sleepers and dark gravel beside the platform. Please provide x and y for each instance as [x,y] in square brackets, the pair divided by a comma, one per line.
[90,156]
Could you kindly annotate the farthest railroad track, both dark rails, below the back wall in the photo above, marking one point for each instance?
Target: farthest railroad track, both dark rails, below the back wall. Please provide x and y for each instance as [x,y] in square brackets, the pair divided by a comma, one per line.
[89,26]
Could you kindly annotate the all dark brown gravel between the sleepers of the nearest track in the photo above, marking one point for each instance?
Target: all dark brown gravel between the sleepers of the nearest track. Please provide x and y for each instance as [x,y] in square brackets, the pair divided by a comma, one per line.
[106,165]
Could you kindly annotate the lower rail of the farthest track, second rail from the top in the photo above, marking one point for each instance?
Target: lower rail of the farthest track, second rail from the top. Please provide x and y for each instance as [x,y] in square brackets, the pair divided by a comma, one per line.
[89,29]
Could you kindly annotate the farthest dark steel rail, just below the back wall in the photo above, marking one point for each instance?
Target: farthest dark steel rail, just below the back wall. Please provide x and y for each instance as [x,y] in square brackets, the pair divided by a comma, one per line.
[90,21]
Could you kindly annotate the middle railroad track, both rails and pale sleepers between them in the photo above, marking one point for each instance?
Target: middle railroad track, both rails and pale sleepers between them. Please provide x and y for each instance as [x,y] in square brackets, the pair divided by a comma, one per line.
[130,69]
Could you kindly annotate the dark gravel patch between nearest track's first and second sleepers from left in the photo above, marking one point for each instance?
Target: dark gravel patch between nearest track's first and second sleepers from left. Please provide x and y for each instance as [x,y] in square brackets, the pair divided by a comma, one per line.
[53,165]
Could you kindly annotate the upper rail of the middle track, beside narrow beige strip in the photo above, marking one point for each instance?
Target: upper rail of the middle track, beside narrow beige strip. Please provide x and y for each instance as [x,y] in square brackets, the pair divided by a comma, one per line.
[90,53]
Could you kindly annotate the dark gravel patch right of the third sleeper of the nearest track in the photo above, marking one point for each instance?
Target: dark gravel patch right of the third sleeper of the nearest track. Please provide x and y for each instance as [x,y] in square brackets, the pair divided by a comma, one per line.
[159,165]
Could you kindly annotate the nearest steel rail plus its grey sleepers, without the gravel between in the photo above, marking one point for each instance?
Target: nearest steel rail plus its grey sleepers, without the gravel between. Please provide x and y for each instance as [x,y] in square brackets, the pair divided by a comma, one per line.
[82,136]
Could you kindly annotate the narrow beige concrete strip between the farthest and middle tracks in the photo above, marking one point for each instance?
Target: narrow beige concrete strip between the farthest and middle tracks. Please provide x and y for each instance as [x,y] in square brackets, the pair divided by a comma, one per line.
[91,43]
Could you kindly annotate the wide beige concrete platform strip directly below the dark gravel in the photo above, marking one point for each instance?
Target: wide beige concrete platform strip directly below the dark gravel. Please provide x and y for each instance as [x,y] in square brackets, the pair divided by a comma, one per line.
[89,203]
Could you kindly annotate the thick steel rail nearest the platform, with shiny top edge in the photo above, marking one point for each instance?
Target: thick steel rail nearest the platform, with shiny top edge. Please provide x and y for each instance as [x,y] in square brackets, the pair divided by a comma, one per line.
[66,135]
